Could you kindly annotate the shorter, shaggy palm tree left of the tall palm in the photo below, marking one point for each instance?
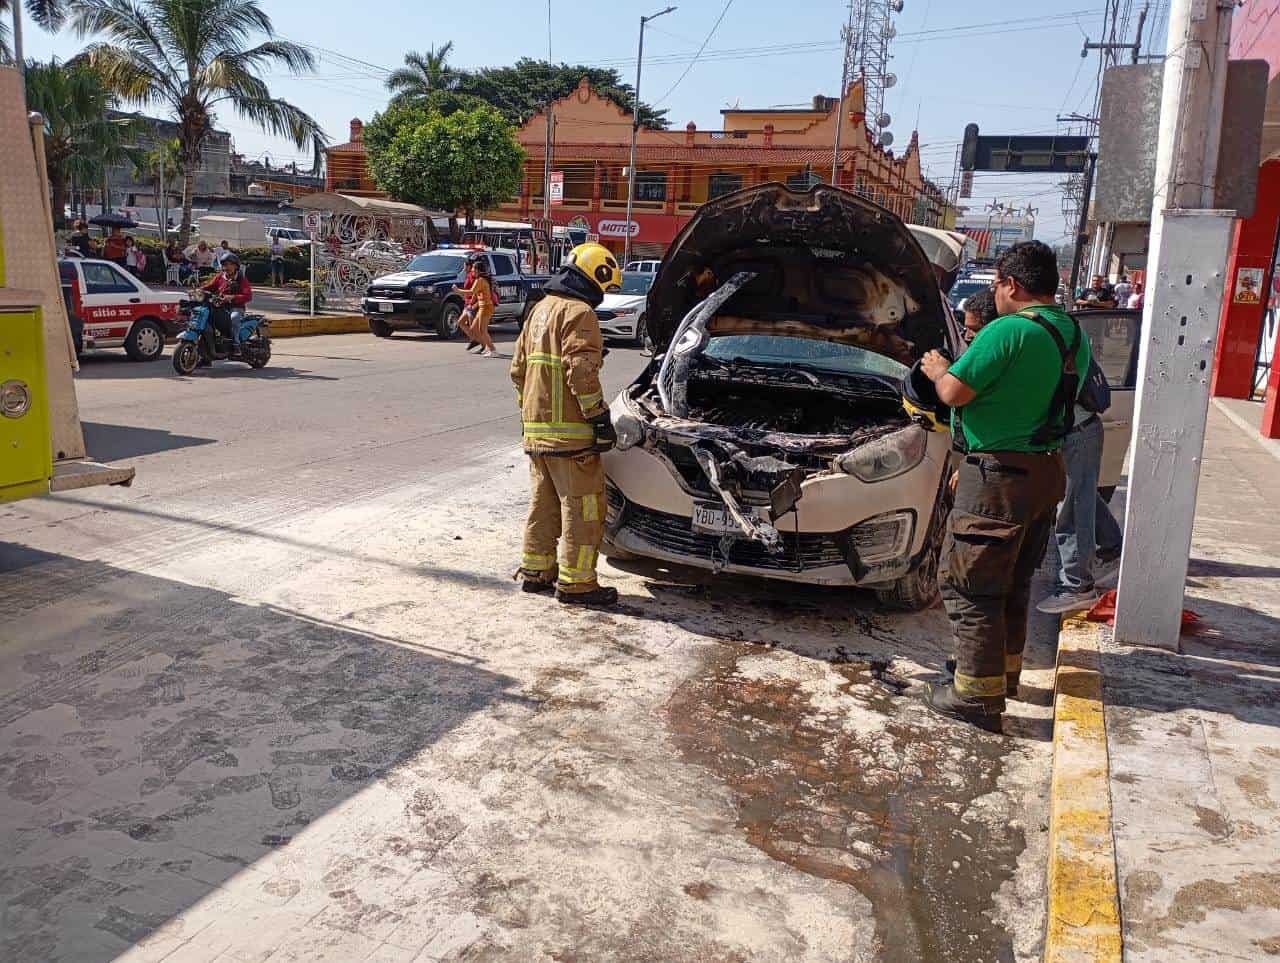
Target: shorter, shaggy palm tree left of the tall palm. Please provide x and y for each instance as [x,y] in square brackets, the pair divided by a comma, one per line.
[81,139]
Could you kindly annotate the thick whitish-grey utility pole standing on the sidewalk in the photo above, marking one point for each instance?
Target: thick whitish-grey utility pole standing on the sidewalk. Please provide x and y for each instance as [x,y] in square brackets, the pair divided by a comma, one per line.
[1190,244]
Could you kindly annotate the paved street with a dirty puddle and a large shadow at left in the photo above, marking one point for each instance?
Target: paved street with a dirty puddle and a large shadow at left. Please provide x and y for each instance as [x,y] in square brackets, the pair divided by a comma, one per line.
[282,701]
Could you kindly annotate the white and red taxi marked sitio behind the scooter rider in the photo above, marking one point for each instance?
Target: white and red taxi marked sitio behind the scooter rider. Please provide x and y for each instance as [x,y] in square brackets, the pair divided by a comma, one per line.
[109,308]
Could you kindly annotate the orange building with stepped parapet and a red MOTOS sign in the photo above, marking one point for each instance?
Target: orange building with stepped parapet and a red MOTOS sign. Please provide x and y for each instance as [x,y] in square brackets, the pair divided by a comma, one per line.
[679,171]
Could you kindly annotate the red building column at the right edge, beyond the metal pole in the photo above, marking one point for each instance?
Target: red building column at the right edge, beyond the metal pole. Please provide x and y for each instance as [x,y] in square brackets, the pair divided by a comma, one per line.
[1241,325]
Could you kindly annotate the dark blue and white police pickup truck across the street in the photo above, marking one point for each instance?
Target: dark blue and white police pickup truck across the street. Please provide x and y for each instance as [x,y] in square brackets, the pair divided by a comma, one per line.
[422,294]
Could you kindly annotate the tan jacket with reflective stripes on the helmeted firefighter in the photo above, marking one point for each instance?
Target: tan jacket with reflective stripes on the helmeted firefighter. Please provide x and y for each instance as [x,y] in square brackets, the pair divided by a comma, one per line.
[557,375]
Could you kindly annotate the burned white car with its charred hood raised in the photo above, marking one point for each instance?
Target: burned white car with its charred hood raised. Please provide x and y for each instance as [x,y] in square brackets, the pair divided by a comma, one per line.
[769,436]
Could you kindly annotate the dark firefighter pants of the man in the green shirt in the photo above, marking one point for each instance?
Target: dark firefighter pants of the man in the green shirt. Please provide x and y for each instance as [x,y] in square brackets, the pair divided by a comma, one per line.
[996,538]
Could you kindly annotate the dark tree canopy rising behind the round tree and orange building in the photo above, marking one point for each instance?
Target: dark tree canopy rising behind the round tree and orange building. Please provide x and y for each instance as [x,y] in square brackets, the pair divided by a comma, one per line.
[523,90]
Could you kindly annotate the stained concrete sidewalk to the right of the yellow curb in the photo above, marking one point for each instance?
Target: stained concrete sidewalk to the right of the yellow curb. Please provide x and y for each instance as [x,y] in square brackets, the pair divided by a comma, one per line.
[1195,737]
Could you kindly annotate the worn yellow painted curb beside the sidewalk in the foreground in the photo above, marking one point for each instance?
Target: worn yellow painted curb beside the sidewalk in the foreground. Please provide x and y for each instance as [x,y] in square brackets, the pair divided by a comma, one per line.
[1084,892]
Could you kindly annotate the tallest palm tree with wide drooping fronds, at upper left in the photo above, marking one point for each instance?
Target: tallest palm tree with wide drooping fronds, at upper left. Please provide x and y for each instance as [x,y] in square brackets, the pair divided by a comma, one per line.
[194,57]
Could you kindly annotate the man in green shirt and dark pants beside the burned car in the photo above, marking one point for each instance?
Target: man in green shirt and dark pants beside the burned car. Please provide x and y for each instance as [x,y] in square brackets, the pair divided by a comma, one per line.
[1011,405]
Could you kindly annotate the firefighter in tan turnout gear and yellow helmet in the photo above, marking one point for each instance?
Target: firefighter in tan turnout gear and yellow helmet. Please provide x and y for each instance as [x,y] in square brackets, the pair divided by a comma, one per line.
[566,425]
